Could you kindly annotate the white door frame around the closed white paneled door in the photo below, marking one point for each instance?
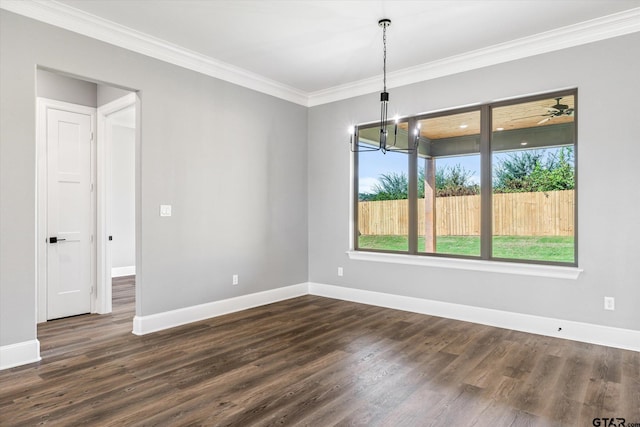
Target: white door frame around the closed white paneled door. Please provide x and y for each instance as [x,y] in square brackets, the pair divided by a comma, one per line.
[42,105]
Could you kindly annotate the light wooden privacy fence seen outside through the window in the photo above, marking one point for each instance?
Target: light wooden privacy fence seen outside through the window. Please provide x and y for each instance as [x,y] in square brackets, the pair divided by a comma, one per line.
[548,213]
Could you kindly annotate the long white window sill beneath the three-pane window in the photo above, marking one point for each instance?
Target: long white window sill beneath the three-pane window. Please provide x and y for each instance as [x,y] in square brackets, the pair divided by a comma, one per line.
[557,272]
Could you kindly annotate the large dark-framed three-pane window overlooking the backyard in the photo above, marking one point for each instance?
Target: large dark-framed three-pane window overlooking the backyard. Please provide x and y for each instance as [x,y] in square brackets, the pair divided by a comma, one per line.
[493,182]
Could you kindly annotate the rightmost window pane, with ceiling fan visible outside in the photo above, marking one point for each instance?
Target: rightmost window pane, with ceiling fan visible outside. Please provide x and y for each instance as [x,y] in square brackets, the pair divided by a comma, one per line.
[533,170]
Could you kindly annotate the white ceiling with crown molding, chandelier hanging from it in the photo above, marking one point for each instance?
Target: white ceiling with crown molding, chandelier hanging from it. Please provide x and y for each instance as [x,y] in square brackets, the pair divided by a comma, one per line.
[311,47]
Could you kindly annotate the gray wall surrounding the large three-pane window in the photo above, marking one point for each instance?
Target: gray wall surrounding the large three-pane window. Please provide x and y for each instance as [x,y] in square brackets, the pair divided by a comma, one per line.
[606,74]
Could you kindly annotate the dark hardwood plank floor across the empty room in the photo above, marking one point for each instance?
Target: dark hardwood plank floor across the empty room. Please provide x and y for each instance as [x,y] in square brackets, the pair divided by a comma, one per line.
[318,362]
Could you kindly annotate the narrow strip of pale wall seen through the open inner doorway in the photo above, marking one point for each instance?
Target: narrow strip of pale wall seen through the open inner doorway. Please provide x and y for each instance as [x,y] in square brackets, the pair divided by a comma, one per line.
[123,225]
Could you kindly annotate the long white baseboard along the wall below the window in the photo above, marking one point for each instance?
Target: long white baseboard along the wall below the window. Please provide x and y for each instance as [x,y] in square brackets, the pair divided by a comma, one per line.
[595,334]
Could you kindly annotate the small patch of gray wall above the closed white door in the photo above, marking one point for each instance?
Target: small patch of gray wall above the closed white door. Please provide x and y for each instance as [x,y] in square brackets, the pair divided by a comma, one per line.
[68,89]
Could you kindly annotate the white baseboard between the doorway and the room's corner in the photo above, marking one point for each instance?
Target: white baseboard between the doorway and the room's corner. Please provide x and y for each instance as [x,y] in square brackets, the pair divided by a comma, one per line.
[155,322]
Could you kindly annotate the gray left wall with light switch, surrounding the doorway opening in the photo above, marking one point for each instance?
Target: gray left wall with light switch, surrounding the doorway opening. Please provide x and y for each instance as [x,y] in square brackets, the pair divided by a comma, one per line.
[231,161]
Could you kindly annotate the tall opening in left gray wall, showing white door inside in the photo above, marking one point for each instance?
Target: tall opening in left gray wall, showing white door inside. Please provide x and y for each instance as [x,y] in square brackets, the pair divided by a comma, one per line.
[66,270]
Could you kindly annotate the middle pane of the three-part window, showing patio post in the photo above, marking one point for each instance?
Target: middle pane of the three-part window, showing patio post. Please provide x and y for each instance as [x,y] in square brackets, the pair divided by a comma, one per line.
[449,182]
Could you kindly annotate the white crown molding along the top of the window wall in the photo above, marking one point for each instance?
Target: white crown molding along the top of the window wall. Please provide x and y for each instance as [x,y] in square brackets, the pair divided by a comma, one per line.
[606,27]
